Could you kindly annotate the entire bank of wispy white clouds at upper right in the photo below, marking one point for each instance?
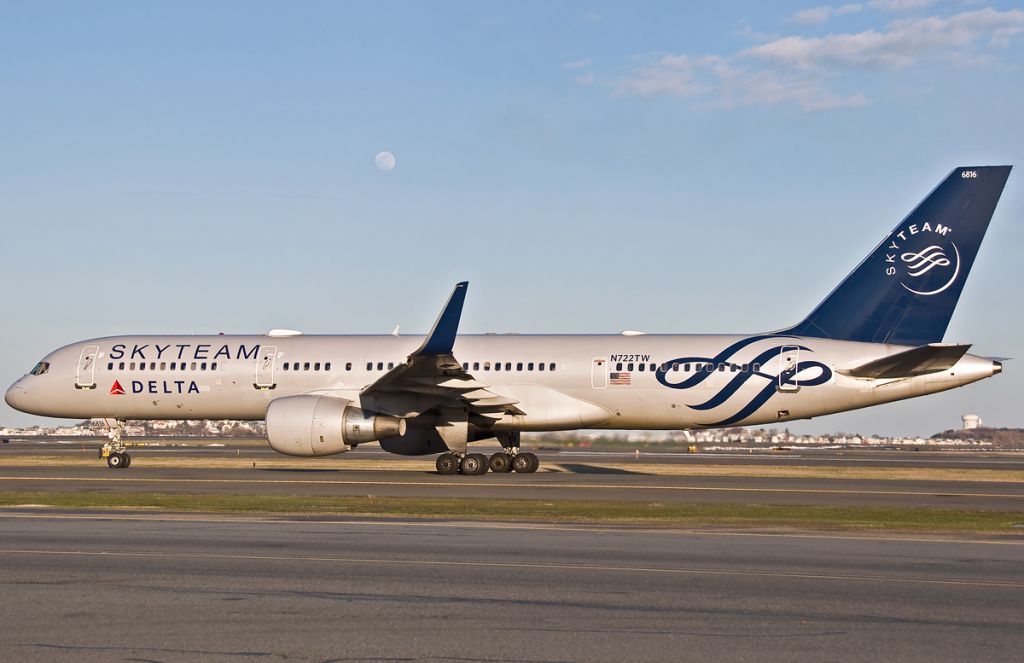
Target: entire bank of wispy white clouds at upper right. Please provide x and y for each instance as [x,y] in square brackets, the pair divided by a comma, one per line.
[808,72]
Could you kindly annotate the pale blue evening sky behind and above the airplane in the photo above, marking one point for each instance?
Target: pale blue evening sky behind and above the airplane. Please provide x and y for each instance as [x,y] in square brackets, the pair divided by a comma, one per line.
[589,168]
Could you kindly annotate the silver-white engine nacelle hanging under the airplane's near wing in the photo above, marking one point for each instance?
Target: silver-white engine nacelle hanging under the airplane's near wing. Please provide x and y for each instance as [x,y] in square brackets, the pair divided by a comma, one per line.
[320,426]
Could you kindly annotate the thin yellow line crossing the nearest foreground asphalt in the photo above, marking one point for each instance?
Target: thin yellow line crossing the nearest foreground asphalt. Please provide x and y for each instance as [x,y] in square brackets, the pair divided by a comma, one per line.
[519,565]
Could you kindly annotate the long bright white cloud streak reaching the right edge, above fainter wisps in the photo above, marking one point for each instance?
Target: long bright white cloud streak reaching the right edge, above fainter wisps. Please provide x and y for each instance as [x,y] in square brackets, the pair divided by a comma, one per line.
[903,44]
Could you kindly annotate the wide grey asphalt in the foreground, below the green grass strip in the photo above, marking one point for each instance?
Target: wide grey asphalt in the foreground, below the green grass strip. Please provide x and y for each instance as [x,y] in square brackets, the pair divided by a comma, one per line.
[185,589]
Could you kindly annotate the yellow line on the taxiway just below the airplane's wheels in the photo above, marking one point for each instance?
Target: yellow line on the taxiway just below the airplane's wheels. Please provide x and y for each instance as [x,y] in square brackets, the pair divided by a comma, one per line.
[313,482]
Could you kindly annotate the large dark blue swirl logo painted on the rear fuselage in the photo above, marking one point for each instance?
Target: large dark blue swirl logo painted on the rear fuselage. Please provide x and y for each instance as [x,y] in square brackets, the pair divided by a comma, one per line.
[812,375]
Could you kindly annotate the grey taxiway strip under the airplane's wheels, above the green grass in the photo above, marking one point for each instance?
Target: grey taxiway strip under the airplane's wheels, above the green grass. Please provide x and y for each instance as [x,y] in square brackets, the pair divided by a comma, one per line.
[577,479]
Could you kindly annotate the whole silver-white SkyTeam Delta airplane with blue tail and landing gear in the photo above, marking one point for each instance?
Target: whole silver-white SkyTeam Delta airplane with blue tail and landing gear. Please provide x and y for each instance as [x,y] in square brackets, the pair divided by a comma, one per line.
[876,339]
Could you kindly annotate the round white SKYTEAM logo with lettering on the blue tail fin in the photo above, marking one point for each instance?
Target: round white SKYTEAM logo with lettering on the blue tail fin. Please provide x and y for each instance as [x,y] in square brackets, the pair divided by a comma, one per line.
[923,272]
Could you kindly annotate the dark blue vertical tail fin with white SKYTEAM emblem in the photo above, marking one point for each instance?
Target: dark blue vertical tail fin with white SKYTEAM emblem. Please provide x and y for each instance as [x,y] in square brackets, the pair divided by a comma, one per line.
[907,289]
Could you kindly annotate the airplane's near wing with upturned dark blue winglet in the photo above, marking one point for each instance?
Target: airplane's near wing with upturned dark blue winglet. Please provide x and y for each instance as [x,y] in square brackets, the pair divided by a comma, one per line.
[432,380]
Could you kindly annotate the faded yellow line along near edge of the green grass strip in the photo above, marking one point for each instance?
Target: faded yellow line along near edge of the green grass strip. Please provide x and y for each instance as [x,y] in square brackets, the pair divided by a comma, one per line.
[481,525]
